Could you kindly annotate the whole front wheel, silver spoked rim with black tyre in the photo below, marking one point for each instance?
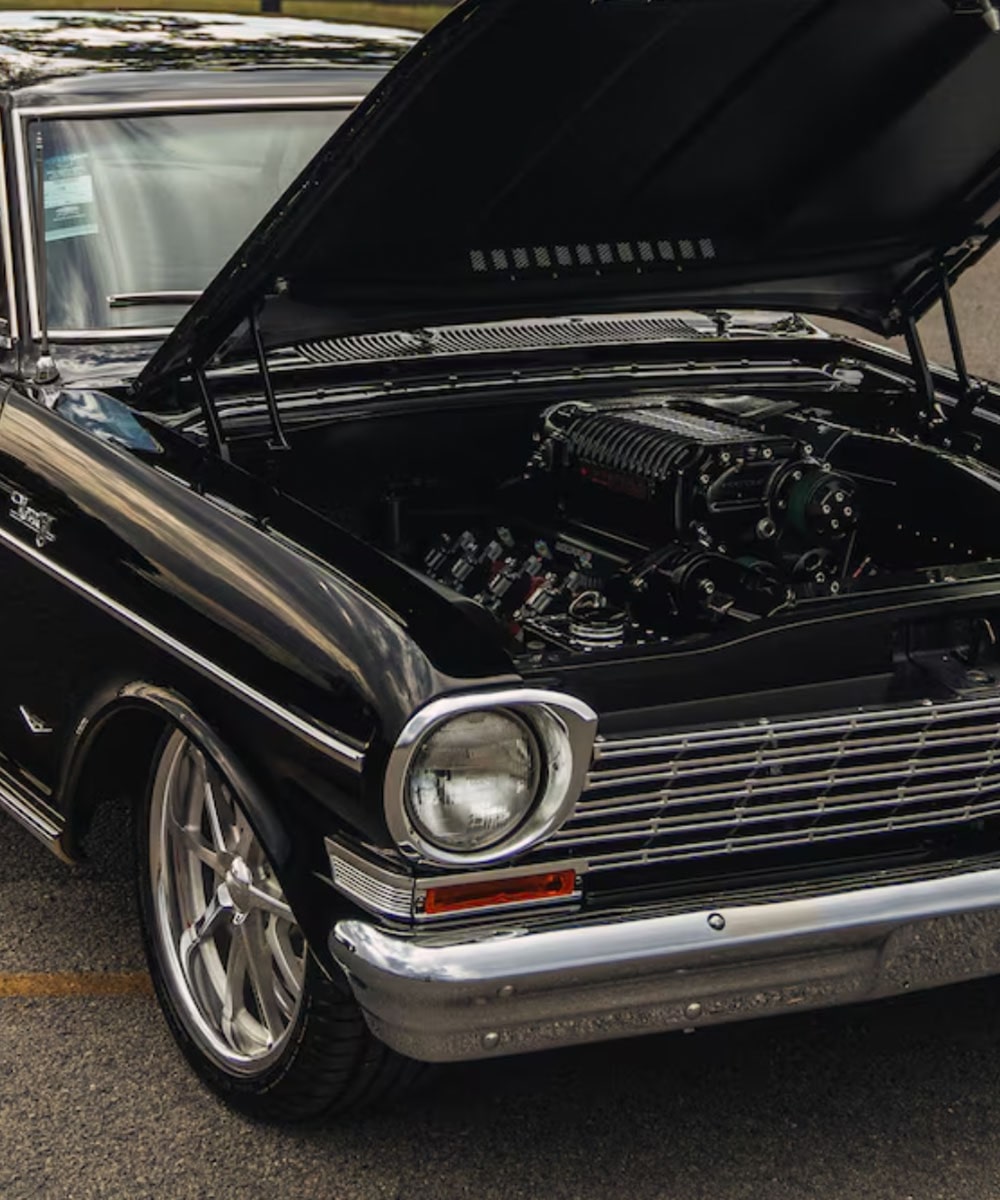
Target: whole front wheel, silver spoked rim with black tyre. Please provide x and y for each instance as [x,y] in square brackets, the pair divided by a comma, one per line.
[248,1004]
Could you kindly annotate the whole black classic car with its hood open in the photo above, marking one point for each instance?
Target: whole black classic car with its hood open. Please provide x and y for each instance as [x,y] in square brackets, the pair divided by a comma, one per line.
[506,621]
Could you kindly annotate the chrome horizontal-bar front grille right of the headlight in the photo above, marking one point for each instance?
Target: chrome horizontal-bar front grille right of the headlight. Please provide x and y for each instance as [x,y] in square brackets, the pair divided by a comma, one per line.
[781,784]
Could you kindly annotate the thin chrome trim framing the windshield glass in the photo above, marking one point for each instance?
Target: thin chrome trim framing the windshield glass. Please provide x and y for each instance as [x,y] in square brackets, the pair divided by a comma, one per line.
[61,112]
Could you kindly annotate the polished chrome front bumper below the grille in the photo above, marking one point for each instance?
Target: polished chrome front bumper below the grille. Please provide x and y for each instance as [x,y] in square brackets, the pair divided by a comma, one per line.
[441,998]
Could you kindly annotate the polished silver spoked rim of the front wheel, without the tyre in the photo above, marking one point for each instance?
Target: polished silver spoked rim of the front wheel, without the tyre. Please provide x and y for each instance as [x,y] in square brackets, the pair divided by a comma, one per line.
[235,958]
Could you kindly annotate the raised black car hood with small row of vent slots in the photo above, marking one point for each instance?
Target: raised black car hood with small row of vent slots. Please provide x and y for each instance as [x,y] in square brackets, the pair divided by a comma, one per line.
[552,157]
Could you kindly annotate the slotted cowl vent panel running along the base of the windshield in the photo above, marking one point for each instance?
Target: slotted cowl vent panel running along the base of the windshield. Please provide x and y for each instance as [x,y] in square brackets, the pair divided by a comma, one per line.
[543,334]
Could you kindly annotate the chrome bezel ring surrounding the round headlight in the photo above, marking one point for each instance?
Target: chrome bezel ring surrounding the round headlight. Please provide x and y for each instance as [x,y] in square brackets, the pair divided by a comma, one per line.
[565,730]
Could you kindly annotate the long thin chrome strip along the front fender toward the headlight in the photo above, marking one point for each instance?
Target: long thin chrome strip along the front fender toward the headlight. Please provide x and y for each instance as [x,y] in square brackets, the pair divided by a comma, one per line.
[345,754]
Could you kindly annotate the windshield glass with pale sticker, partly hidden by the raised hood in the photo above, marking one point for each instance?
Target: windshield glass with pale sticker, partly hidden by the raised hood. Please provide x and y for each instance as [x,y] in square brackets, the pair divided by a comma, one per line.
[143,211]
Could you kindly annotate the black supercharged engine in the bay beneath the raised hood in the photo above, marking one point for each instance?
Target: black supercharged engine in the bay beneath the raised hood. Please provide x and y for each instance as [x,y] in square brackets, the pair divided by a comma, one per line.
[645,520]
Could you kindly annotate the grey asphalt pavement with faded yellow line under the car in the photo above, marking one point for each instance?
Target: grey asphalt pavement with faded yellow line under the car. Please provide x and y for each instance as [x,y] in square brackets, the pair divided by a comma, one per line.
[891,1101]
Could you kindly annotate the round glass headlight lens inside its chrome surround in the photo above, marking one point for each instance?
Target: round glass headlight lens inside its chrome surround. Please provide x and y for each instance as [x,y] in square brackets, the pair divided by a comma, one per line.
[474,781]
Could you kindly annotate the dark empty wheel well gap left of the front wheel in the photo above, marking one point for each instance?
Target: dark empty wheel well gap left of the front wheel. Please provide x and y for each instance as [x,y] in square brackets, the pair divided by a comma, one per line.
[107,781]
